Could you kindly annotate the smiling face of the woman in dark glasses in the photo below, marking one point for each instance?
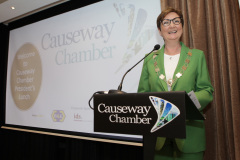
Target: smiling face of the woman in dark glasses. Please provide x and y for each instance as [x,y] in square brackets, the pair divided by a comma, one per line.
[173,32]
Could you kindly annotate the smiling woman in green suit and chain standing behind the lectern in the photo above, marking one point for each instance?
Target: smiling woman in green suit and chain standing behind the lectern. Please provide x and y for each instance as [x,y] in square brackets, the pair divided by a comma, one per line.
[175,67]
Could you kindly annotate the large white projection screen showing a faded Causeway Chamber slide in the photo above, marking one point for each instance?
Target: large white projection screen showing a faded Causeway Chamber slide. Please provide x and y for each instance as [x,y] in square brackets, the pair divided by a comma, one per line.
[55,65]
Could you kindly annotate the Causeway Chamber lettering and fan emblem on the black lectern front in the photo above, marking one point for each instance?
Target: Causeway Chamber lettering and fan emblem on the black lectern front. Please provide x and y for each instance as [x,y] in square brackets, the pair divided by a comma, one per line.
[165,110]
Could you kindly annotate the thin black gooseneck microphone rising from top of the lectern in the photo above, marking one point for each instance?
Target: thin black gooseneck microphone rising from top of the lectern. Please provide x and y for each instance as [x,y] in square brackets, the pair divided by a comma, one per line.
[119,90]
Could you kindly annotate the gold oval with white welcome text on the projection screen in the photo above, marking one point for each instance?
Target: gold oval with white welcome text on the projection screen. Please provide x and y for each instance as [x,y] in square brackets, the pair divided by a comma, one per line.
[26,76]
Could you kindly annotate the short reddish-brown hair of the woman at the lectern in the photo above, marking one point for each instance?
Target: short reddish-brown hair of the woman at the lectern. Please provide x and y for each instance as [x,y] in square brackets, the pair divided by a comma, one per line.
[165,12]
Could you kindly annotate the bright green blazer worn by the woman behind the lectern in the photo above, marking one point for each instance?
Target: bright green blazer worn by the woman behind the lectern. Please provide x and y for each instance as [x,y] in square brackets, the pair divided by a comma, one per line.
[194,76]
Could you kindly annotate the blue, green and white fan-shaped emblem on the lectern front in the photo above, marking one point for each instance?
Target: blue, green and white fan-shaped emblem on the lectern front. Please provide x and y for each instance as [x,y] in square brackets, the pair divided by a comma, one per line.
[166,112]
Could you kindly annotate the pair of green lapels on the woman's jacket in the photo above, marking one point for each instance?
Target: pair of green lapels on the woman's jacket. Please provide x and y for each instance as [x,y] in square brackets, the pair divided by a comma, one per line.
[160,61]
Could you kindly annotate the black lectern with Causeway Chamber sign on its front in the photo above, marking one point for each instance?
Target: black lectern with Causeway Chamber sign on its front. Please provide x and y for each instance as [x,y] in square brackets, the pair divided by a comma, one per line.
[152,114]
